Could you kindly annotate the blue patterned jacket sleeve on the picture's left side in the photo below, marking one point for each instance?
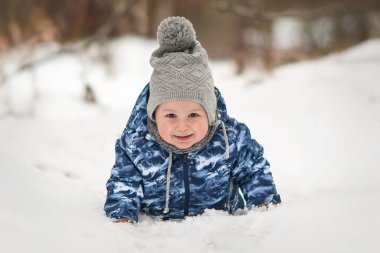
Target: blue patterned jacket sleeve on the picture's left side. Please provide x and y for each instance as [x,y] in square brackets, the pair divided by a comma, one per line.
[124,188]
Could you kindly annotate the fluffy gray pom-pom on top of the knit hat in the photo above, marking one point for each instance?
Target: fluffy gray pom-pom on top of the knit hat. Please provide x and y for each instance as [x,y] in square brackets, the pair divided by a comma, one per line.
[176,34]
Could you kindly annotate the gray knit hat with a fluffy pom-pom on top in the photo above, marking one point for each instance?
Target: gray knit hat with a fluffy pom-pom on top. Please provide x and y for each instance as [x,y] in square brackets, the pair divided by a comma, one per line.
[181,69]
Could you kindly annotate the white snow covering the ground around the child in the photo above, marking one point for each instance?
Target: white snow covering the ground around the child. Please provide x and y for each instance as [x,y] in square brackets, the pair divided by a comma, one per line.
[318,121]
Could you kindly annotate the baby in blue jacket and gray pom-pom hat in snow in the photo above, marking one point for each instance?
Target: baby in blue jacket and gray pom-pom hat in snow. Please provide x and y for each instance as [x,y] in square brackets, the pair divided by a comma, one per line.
[181,153]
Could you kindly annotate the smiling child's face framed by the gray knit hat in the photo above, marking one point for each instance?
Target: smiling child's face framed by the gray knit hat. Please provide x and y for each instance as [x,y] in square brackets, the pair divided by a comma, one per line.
[181,123]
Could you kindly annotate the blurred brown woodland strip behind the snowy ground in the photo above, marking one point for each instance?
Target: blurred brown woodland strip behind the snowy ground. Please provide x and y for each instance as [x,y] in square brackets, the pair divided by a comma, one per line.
[239,29]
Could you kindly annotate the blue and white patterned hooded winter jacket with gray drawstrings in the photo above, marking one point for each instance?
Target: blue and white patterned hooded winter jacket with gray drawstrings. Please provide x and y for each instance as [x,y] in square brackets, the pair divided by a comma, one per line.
[206,178]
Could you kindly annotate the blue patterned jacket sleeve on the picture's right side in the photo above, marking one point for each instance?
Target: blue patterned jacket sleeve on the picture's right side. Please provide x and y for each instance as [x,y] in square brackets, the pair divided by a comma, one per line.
[252,173]
